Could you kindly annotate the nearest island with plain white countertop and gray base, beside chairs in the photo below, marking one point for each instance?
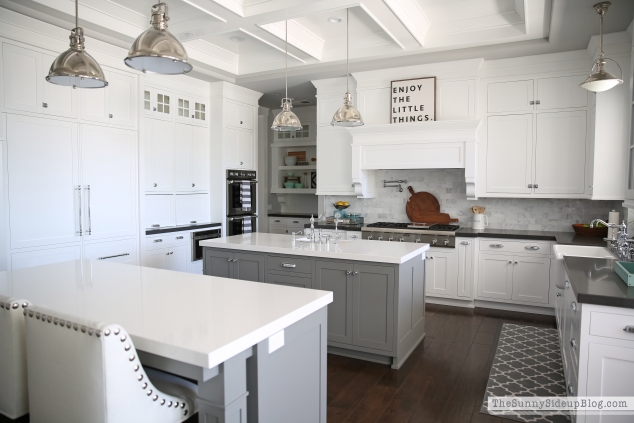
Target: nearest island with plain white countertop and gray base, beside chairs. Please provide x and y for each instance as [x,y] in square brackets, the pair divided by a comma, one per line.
[255,350]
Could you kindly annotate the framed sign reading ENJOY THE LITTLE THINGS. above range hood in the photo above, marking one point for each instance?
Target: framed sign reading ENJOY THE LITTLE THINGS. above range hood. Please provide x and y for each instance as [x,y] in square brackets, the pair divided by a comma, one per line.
[413,100]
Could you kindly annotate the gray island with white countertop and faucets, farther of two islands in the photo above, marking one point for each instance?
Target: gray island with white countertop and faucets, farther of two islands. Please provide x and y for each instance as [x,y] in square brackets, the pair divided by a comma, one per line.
[378,310]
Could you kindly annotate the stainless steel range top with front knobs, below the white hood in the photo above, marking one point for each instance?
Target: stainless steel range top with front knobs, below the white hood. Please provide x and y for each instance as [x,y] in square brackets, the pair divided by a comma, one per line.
[436,235]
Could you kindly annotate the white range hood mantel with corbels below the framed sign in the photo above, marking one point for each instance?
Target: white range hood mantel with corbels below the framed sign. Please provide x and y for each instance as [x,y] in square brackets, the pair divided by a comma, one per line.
[447,144]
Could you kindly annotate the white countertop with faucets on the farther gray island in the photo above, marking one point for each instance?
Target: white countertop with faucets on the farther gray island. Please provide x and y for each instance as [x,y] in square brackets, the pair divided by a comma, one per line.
[360,250]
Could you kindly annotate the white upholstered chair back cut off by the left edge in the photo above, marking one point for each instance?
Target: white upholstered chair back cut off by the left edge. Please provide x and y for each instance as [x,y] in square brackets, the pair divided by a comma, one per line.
[14,397]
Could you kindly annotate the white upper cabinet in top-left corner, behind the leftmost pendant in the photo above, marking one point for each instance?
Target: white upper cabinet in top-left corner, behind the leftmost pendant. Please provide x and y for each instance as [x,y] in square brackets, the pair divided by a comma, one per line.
[25,88]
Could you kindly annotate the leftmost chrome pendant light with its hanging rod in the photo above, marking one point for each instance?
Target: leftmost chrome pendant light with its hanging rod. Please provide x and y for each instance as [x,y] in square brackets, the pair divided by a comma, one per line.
[74,67]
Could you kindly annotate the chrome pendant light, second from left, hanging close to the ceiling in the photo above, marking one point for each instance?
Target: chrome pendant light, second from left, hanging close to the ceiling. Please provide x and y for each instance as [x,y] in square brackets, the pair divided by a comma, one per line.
[156,49]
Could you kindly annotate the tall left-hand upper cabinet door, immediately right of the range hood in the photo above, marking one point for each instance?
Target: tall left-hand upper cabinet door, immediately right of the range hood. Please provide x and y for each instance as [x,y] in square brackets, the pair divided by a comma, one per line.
[509,154]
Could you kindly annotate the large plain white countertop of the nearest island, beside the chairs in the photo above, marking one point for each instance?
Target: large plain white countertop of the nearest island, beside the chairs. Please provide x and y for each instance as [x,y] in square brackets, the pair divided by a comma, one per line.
[196,319]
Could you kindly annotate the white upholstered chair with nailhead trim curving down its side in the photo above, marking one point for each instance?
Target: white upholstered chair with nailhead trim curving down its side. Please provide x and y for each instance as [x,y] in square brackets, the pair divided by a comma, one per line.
[82,371]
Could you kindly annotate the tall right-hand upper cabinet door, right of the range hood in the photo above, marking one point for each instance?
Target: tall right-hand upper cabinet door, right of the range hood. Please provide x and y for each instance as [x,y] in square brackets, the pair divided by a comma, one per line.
[560,153]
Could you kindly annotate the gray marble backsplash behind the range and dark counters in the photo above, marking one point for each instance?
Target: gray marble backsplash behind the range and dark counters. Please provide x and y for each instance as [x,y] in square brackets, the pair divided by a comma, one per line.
[448,185]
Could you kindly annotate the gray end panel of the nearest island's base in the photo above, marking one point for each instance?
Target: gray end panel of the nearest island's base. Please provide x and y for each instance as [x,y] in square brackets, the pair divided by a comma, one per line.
[289,384]
